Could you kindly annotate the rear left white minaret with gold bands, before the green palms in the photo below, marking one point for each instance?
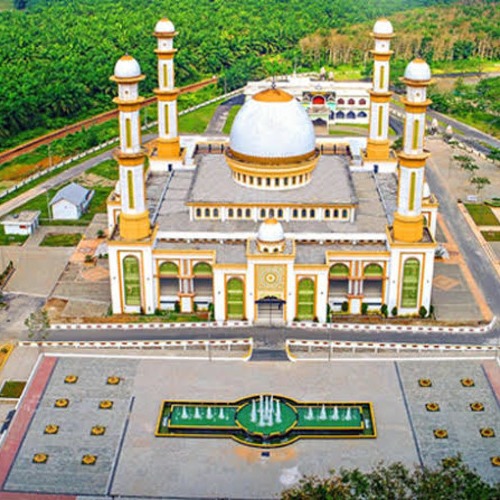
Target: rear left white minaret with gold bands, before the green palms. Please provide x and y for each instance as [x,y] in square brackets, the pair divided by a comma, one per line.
[168,133]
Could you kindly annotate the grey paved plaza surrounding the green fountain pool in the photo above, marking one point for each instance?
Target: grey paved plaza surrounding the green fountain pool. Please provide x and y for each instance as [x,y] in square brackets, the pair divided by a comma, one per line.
[131,461]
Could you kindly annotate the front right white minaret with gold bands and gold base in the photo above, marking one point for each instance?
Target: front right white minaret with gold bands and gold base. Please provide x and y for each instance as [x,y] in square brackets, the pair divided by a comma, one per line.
[408,220]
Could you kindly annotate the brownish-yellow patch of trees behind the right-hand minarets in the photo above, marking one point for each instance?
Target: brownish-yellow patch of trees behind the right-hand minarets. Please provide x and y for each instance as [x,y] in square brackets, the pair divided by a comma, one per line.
[465,30]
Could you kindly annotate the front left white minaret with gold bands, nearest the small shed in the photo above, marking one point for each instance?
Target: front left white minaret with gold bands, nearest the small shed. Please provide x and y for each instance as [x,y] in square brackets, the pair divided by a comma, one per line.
[134,216]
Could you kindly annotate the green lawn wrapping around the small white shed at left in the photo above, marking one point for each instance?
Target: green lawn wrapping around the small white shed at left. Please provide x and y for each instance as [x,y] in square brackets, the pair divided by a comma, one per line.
[97,205]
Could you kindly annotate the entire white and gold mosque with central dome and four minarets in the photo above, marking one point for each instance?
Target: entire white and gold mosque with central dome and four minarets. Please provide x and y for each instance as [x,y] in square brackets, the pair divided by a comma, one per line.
[270,225]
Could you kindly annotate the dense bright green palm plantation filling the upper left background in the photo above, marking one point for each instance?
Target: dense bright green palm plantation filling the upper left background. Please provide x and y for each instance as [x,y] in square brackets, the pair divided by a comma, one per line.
[57,55]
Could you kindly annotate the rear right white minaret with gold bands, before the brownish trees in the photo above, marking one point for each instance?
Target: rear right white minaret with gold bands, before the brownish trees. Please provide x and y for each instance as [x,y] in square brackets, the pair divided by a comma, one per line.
[377,147]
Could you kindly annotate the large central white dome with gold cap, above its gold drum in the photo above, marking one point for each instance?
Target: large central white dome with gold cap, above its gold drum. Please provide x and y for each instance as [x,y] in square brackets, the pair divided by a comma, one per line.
[272,124]
